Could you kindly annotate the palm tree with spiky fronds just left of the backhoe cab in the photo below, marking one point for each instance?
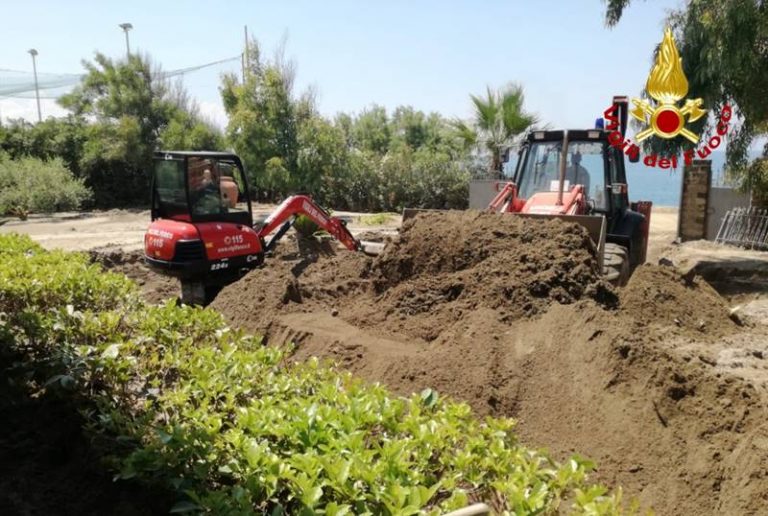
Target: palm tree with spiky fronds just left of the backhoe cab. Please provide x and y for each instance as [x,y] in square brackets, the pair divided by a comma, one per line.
[499,117]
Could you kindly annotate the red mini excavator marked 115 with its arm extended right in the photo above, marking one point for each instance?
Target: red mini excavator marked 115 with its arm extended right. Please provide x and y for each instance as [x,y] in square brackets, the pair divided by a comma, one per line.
[202,227]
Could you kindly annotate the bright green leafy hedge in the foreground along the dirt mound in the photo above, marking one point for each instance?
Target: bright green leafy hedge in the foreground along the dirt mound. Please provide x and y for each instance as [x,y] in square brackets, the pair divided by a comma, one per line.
[235,427]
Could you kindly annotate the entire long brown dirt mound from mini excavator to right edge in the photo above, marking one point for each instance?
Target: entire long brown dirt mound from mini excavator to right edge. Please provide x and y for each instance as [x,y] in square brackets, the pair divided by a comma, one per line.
[510,315]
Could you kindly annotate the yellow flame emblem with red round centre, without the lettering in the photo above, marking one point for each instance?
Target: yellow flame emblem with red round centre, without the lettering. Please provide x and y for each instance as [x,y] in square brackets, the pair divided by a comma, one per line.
[667,84]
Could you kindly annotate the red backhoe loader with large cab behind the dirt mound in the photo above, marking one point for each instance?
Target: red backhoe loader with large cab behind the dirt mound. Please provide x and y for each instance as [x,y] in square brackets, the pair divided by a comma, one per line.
[579,176]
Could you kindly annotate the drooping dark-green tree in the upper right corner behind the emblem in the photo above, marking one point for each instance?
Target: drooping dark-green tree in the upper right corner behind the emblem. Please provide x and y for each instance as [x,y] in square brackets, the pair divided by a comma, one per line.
[724,48]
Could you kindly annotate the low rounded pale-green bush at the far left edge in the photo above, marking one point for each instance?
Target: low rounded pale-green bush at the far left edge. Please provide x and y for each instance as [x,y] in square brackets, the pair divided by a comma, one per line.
[32,185]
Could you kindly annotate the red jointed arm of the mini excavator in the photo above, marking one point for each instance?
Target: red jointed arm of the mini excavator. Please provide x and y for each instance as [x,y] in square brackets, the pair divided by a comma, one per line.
[285,214]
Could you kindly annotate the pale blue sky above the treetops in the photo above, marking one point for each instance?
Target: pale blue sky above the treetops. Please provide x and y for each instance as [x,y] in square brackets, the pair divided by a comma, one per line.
[427,54]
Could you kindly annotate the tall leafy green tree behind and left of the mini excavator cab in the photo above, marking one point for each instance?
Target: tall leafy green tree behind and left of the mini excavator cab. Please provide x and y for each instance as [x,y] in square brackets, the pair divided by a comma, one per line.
[127,109]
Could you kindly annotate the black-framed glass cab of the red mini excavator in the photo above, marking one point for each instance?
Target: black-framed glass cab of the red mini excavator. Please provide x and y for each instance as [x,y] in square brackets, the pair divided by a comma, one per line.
[200,187]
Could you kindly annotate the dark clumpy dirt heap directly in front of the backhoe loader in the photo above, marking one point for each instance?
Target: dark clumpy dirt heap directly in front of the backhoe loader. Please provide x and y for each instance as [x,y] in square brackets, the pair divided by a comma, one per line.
[518,266]
